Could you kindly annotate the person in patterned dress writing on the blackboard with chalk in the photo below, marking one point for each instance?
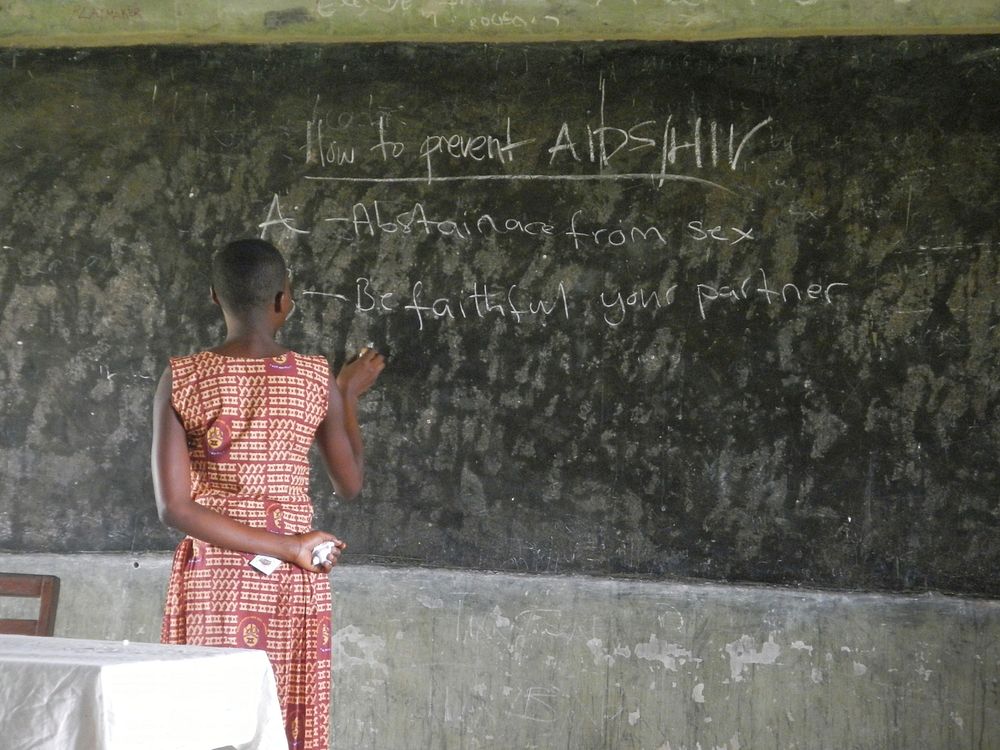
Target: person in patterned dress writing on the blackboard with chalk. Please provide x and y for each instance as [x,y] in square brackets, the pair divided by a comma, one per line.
[232,427]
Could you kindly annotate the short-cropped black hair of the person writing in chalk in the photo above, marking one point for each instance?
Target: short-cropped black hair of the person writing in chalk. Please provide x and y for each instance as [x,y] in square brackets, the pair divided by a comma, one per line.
[248,274]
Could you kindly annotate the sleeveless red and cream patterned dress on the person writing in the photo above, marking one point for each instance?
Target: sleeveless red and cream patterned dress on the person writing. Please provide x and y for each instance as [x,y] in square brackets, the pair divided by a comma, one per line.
[249,425]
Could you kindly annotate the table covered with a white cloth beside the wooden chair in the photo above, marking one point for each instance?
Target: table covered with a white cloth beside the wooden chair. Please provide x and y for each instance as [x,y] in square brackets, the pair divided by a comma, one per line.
[70,694]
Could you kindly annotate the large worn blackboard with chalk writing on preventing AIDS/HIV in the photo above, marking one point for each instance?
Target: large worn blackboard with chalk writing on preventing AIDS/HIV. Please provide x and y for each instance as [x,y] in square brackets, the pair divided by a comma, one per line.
[715,310]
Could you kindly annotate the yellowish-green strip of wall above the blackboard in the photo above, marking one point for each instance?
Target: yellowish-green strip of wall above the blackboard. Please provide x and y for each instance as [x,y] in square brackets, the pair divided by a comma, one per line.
[112,22]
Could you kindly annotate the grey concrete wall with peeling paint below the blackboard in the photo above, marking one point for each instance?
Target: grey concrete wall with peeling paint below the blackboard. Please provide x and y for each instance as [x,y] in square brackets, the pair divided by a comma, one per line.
[447,659]
